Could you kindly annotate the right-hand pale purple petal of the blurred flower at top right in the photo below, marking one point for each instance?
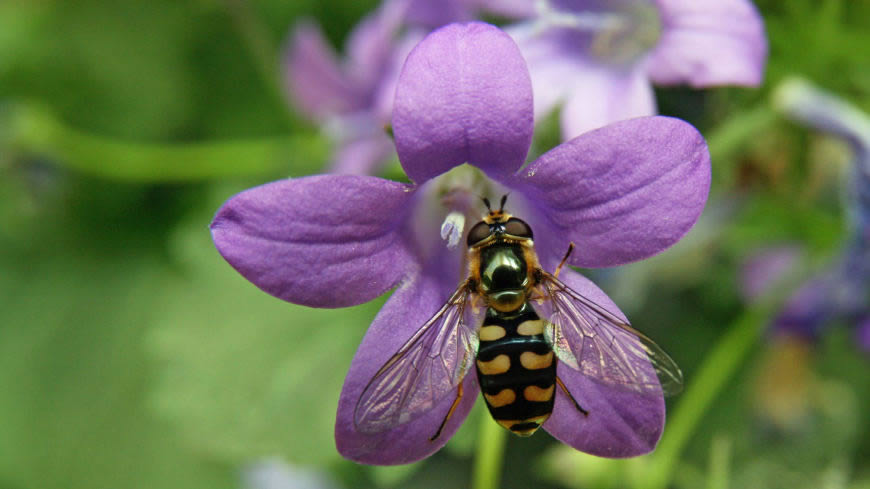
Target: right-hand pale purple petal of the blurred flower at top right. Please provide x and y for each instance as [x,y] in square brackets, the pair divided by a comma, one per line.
[709,42]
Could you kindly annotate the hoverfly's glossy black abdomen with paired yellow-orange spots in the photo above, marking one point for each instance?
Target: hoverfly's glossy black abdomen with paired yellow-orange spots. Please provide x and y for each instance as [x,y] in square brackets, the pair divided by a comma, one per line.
[516,369]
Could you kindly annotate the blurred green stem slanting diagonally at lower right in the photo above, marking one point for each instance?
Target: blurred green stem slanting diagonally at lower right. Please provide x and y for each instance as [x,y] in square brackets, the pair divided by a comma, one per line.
[719,367]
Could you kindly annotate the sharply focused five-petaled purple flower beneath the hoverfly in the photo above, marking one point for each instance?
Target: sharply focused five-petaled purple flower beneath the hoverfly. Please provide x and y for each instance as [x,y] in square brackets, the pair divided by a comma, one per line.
[621,193]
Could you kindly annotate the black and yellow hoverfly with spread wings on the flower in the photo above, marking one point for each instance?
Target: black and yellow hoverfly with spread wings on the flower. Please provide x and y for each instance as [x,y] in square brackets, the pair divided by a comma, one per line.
[511,346]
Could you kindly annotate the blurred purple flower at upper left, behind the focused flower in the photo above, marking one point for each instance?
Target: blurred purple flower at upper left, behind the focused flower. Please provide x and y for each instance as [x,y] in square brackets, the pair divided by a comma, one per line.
[352,99]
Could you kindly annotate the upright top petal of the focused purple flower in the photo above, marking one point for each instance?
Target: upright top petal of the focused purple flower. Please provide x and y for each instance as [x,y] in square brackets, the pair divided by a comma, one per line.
[464,95]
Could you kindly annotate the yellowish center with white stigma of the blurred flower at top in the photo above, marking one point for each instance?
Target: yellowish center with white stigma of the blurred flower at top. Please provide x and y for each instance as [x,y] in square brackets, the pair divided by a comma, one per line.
[616,32]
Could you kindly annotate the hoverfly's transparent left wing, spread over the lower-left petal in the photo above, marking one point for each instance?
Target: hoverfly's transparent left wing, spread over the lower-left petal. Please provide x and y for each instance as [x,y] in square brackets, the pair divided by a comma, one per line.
[424,370]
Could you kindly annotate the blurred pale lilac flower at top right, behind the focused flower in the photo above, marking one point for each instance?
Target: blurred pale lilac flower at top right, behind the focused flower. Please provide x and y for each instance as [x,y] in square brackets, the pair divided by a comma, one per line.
[600,57]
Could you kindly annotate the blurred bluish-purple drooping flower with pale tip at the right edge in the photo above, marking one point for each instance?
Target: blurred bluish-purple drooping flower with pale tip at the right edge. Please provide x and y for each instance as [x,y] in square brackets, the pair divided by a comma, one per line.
[842,292]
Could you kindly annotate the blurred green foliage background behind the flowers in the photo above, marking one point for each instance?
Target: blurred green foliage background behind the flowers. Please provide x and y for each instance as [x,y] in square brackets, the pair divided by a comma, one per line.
[131,355]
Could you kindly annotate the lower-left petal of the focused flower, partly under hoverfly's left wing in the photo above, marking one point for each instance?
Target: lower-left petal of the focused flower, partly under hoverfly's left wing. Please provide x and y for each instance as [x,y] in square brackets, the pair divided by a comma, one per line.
[409,308]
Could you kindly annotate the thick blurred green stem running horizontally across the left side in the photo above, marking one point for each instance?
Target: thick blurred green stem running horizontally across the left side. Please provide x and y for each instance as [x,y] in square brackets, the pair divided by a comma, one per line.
[38,131]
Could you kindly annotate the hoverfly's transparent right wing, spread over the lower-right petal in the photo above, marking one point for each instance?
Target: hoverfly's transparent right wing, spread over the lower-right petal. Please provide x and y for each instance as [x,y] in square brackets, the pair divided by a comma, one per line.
[588,338]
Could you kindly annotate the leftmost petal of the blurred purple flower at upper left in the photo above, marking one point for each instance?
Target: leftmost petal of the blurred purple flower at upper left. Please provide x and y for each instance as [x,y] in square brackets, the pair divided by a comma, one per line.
[315,81]
